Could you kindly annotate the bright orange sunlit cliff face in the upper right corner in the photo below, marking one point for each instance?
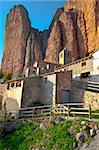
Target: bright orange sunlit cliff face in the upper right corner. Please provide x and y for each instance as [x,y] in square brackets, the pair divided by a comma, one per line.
[87,24]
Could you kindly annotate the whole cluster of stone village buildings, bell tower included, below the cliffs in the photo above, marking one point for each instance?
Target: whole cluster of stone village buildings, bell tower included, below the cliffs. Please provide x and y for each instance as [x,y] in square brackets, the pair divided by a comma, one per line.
[49,83]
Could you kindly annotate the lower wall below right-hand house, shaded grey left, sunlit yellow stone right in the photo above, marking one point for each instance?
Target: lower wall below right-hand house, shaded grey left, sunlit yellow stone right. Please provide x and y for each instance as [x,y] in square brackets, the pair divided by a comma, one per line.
[85,93]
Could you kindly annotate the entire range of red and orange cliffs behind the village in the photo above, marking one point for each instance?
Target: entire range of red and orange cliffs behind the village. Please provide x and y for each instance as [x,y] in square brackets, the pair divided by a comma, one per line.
[76,27]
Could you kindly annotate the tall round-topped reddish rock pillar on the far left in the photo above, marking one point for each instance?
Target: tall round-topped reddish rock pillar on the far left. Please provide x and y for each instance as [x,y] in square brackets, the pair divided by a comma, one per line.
[17,31]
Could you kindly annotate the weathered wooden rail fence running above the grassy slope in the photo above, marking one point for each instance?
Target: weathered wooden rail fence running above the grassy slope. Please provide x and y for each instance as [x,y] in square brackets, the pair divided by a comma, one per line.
[70,109]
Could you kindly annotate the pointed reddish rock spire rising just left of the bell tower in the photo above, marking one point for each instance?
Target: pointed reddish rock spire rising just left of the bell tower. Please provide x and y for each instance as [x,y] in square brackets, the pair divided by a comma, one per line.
[54,43]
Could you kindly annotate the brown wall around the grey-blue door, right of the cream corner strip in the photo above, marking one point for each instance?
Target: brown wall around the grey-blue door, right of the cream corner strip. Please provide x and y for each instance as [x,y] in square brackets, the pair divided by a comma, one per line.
[63,83]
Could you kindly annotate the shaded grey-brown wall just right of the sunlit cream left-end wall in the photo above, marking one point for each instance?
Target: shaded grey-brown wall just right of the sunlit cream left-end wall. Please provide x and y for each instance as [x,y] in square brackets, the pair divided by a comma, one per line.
[31,91]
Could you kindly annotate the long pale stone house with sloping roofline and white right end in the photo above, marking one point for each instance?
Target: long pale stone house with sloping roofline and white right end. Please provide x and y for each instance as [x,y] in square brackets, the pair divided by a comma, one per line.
[86,68]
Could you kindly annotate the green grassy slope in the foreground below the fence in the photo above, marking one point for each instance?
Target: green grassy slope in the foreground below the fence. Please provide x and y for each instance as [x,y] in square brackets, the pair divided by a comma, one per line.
[28,136]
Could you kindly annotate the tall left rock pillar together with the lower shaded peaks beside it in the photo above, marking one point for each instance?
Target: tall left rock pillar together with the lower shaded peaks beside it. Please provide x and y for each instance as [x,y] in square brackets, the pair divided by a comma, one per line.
[23,44]
